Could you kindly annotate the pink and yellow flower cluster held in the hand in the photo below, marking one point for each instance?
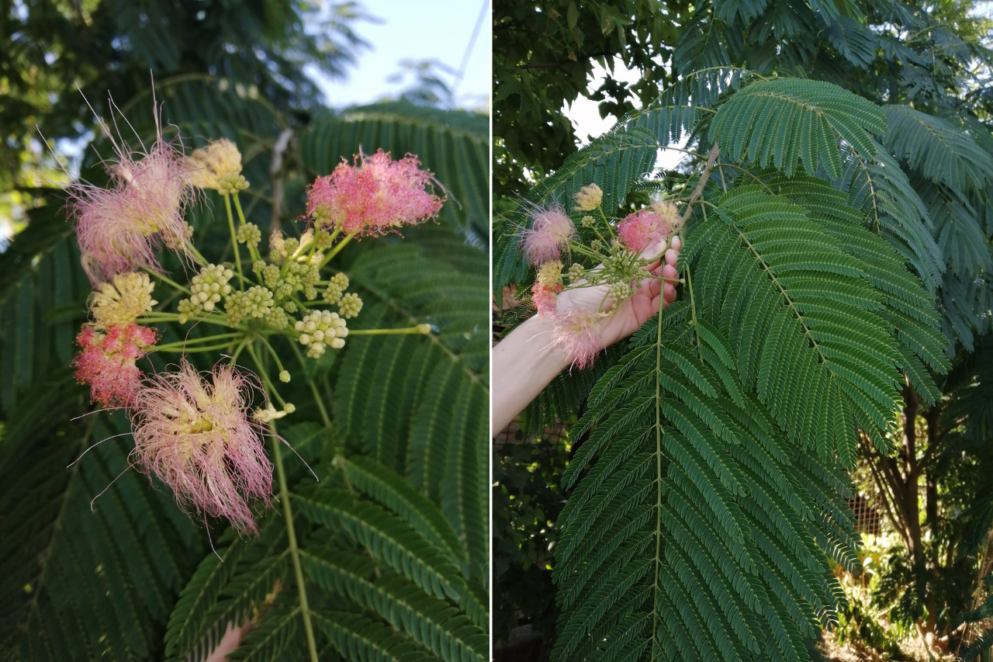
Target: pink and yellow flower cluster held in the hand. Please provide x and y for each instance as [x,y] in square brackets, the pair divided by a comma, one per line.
[629,251]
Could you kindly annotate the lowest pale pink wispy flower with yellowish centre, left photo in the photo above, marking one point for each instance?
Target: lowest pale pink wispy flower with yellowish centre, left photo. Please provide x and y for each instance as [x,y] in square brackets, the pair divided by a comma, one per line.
[199,438]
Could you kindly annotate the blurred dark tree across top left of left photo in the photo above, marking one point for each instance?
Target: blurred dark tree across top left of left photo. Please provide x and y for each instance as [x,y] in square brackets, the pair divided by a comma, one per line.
[107,50]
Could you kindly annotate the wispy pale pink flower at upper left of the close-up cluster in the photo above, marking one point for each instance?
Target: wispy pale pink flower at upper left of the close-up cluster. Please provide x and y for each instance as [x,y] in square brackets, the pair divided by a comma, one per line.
[121,228]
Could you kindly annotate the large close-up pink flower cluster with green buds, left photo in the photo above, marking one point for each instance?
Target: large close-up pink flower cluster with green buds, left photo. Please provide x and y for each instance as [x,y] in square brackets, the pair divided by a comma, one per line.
[203,434]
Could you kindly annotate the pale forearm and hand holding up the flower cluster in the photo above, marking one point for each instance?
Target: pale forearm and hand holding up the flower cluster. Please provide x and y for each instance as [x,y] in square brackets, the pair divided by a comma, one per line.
[524,362]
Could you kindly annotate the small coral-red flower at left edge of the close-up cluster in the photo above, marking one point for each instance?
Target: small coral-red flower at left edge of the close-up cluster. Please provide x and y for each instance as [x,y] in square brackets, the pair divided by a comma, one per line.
[107,361]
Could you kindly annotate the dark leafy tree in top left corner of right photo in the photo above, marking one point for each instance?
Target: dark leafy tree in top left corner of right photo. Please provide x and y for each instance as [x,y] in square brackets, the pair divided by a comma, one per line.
[543,57]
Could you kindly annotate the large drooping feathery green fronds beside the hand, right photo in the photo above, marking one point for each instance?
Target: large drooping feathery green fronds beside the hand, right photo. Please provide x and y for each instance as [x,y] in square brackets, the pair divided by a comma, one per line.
[708,491]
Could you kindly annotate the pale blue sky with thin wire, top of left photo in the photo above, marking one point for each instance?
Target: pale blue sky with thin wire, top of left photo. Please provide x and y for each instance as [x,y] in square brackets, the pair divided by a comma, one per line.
[437,30]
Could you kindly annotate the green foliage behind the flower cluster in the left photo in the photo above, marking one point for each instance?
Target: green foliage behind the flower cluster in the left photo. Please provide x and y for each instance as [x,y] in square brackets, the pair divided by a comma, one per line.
[394,536]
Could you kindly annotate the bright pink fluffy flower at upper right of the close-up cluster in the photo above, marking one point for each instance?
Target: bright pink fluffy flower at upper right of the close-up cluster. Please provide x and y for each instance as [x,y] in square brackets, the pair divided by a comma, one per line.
[375,196]
